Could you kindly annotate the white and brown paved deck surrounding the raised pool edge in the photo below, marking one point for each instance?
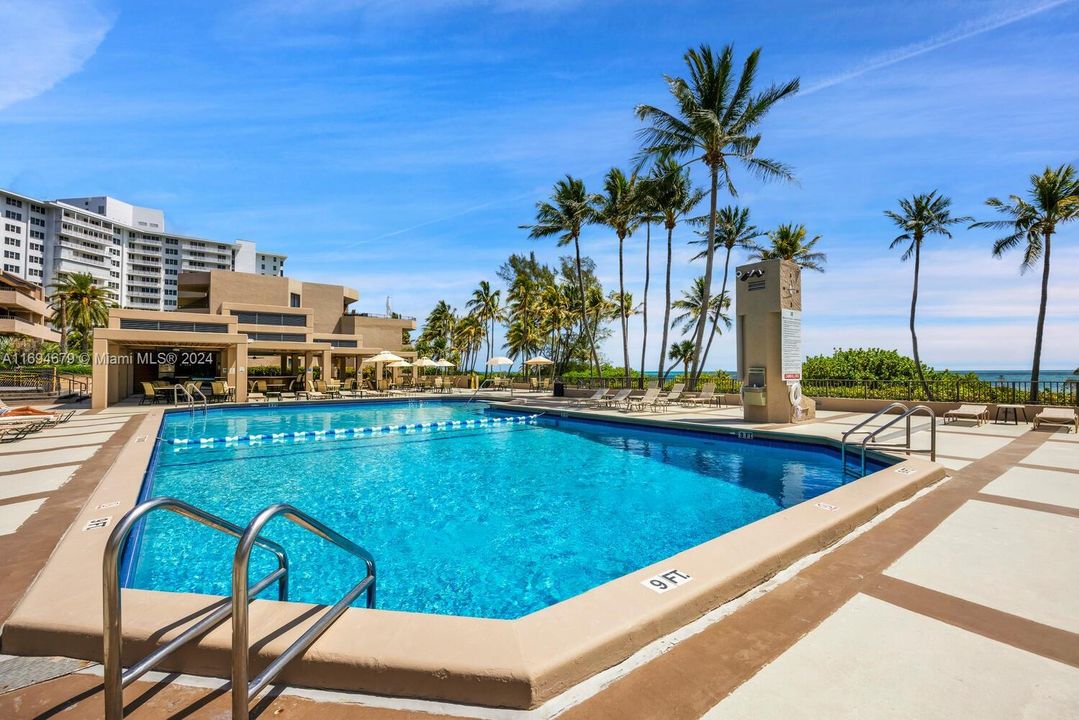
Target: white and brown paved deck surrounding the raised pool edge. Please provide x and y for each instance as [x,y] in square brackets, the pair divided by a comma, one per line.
[961,603]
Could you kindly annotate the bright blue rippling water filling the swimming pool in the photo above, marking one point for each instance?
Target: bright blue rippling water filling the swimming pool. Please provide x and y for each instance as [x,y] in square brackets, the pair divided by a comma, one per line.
[494,521]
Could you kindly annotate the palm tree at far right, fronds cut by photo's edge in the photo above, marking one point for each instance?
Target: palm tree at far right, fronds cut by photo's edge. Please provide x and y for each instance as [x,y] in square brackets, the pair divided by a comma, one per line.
[1054,200]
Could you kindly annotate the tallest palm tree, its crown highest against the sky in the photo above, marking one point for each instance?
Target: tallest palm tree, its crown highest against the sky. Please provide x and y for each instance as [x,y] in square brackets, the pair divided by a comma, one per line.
[717,121]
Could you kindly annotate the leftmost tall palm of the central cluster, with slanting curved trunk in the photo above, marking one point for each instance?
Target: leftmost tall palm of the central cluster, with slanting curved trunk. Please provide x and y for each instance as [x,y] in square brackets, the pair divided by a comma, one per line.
[569,210]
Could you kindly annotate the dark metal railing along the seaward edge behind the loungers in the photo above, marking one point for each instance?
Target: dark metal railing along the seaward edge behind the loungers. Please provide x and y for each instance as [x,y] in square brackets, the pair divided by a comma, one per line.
[1050,392]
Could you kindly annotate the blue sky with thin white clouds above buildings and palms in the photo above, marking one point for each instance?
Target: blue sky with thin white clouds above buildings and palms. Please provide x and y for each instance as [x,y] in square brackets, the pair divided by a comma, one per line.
[398,147]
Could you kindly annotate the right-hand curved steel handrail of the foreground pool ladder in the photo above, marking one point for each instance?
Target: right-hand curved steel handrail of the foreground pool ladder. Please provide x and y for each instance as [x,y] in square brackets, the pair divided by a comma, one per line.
[242,690]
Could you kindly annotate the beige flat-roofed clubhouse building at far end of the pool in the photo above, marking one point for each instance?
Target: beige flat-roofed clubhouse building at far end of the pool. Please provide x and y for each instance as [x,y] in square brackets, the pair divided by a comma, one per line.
[227,322]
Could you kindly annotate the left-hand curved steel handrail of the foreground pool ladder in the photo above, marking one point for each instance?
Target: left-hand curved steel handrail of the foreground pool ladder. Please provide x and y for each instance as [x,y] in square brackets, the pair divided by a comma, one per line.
[116,678]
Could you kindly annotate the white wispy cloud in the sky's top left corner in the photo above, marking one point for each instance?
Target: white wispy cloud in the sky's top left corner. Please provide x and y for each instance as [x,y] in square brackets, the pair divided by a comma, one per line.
[45,43]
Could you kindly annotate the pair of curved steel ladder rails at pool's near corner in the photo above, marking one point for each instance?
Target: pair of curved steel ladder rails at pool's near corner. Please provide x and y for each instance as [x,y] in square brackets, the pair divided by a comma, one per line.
[237,606]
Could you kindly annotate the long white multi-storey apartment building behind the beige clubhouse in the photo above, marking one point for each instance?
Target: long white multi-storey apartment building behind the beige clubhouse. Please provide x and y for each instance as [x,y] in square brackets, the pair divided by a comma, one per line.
[125,248]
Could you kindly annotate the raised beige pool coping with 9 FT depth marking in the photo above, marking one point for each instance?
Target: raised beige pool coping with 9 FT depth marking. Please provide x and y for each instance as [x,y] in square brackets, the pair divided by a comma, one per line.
[498,663]
